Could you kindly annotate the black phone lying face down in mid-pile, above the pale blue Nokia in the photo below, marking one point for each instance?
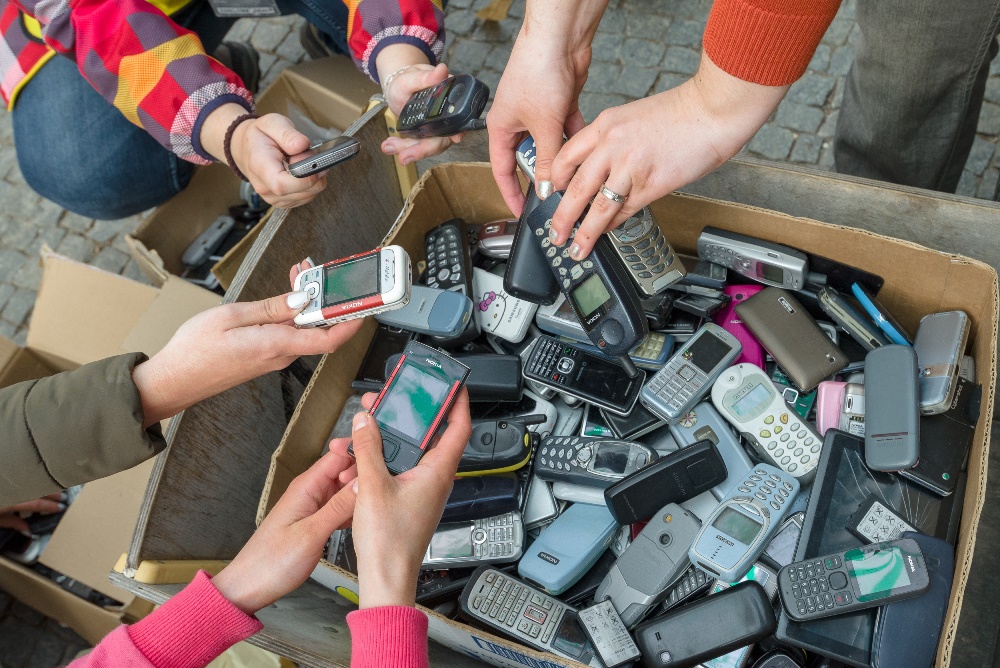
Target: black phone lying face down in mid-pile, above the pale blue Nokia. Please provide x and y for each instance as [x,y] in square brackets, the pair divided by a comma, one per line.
[674,478]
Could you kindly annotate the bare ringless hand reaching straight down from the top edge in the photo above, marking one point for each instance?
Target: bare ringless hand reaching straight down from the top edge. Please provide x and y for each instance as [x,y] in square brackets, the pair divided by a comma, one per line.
[539,91]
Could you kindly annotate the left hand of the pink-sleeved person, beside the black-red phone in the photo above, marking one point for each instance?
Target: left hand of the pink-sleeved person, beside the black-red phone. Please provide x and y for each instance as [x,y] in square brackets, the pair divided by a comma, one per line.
[289,543]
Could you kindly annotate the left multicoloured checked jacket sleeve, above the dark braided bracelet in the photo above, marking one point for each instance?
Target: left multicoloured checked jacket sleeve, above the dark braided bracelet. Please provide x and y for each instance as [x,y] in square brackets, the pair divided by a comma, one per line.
[153,71]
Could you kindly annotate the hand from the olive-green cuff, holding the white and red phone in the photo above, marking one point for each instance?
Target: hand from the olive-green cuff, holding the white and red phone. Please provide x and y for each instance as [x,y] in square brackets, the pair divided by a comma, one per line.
[228,345]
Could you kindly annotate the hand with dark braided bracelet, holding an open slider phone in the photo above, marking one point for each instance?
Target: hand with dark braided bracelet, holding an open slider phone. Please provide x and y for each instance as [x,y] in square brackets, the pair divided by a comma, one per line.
[260,148]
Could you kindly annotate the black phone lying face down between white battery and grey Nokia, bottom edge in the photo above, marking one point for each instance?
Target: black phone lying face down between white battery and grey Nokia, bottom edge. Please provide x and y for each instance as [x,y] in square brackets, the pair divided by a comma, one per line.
[736,617]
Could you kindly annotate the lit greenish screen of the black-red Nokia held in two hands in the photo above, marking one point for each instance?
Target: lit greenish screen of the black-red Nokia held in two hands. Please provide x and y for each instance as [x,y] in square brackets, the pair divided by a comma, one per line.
[412,403]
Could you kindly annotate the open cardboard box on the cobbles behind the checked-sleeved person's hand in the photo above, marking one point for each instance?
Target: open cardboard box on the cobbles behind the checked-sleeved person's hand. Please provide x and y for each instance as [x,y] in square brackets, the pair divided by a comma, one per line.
[331,92]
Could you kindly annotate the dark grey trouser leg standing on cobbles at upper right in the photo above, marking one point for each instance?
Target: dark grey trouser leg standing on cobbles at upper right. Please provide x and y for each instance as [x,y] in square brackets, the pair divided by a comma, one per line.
[913,95]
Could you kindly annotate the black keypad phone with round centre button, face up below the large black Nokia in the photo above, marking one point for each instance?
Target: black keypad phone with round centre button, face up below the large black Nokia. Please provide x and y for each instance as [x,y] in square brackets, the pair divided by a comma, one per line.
[593,378]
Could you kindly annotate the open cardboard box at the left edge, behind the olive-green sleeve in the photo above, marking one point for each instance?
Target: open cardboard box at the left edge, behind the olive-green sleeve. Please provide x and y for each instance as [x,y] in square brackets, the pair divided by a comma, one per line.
[83,314]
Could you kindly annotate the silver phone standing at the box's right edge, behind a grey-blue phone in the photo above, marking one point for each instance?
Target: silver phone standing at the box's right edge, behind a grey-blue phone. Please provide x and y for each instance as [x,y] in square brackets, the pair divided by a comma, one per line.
[940,345]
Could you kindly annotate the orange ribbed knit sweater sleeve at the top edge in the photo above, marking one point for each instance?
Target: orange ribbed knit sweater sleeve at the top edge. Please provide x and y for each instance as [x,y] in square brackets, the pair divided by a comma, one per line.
[768,42]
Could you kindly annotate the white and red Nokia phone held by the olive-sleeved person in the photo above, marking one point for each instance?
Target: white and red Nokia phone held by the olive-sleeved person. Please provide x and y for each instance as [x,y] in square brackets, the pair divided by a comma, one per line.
[360,285]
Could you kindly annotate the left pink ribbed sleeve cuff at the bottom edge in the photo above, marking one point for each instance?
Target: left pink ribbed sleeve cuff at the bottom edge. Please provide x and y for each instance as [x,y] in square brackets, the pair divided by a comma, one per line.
[193,627]
